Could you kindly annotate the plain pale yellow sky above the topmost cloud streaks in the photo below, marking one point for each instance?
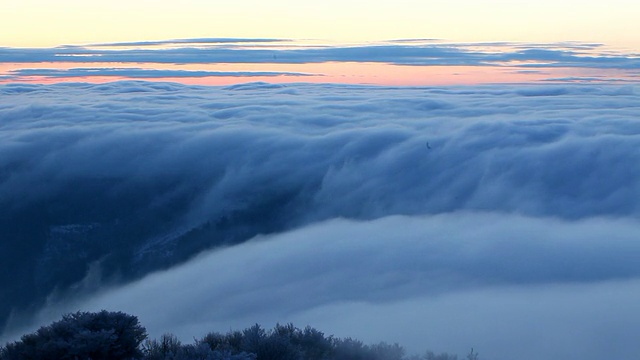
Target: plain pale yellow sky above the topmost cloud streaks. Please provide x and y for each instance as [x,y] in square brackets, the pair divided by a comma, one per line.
[46,23]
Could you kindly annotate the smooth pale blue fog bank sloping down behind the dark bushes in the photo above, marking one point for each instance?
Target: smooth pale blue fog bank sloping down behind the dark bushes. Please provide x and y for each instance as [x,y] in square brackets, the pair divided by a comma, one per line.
[504,284]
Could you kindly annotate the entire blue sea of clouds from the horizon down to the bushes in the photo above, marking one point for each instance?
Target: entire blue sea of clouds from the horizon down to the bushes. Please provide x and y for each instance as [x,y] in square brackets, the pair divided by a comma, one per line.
[499,217]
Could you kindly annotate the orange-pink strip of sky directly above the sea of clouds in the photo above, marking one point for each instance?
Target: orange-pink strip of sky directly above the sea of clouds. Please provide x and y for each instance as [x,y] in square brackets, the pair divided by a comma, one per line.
[330,72]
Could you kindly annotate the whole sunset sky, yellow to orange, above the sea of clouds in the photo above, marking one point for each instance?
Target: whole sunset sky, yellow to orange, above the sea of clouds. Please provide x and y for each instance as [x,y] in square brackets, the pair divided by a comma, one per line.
[601,29]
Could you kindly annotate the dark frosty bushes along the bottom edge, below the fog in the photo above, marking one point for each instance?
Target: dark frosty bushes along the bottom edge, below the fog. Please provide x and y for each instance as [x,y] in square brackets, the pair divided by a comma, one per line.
[116,335]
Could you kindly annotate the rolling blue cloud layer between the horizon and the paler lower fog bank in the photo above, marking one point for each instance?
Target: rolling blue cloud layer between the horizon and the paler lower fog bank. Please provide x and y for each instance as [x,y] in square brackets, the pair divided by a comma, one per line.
[537,150]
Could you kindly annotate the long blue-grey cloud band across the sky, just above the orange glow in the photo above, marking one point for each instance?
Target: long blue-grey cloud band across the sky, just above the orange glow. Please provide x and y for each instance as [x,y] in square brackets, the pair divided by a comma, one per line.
[535,55]
